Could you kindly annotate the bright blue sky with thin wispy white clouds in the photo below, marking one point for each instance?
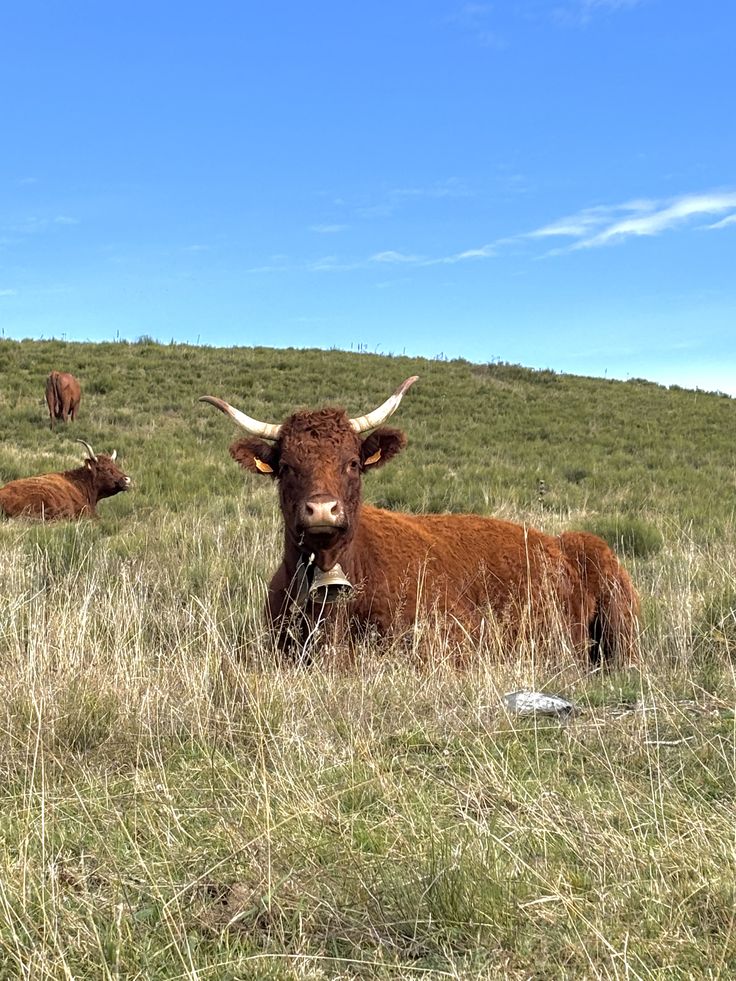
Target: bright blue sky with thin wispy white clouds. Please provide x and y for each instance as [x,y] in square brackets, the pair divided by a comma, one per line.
[549,183]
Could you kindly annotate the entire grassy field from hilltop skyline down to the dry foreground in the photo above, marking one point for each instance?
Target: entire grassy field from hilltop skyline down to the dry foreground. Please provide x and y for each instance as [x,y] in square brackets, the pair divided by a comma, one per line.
[177,803]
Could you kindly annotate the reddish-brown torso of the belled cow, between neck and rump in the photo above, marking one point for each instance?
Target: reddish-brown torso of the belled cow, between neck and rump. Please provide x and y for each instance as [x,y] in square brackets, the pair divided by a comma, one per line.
[464,566]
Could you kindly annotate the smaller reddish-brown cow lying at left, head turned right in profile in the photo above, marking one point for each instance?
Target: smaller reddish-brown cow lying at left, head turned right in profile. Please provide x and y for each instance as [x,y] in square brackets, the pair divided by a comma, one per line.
[65,495]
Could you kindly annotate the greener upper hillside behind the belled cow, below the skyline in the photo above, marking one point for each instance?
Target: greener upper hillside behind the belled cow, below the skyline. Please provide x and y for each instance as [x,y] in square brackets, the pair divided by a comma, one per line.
[481,436]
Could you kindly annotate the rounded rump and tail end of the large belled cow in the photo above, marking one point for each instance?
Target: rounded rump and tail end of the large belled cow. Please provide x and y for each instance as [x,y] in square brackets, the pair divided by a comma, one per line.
[613,630]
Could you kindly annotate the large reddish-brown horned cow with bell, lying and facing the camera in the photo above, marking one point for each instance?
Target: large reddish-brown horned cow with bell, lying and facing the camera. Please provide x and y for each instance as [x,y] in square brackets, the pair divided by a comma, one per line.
[476,573]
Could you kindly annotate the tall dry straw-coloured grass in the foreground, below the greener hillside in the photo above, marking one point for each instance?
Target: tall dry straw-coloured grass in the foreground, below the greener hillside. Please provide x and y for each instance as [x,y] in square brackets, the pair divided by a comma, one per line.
[177,803]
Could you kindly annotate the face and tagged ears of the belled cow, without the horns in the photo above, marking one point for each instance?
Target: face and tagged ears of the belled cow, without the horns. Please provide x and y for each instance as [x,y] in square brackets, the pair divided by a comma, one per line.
[319,462]
